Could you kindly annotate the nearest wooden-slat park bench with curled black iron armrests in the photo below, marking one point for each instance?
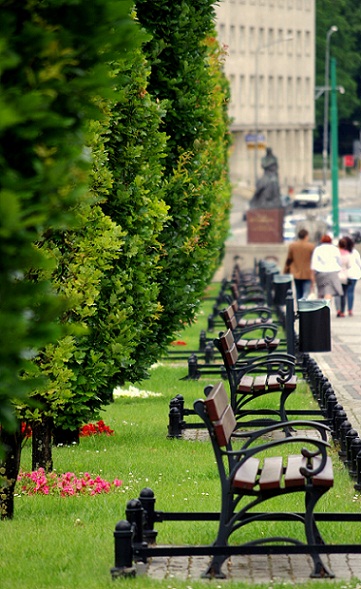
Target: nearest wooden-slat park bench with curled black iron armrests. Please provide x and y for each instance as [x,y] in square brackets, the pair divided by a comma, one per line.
[247,474]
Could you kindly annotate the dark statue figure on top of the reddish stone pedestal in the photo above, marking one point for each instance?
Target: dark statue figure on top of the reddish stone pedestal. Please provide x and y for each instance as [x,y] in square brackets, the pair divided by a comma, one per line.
[267,194]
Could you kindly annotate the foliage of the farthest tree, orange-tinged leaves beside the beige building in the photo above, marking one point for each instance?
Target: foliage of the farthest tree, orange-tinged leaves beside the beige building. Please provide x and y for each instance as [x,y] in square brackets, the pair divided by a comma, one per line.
[185,70]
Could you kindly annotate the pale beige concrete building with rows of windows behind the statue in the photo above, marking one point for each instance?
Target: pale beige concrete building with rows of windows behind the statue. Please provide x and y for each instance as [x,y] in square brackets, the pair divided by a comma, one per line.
[270,65]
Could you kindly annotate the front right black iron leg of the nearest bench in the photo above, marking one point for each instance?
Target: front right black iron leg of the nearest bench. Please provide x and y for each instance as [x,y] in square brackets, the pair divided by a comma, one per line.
[313,535]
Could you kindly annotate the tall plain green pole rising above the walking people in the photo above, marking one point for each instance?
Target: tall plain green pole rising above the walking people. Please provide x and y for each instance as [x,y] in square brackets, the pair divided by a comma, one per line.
[334,148]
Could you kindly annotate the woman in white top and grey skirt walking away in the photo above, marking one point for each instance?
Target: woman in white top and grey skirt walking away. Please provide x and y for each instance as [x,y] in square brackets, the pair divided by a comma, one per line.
[325,266]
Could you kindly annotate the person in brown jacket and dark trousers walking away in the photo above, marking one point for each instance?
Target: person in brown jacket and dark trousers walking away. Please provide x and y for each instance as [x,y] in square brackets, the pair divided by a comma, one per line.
[298,263]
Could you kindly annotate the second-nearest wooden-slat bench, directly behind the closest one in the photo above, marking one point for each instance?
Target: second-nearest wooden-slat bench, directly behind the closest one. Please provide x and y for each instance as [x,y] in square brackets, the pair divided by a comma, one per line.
[263,375]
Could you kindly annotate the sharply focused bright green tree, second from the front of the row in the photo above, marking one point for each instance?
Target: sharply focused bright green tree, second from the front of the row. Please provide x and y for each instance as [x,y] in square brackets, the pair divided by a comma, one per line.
[107,267]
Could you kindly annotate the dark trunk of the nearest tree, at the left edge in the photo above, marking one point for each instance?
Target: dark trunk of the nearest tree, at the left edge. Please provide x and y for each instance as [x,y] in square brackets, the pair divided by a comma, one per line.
[9,470]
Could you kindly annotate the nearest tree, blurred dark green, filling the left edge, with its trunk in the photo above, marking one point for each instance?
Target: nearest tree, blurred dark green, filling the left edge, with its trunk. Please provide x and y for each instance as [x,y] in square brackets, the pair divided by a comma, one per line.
[54,57]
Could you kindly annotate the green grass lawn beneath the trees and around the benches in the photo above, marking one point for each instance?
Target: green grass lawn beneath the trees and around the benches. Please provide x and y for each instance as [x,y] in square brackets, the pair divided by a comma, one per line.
[67,543]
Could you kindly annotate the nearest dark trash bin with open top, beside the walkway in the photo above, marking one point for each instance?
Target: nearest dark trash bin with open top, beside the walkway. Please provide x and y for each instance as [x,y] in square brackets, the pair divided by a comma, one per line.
[315,325]
